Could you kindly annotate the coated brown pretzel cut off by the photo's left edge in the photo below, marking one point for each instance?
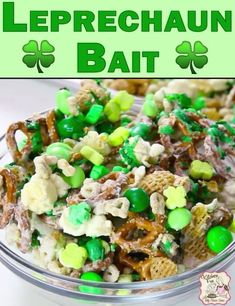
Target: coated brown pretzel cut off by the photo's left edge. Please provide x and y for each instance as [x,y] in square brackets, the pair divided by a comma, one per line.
[9,200]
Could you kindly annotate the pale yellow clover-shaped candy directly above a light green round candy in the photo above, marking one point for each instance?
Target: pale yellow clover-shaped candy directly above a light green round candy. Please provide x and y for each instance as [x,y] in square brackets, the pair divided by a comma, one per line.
[175,197]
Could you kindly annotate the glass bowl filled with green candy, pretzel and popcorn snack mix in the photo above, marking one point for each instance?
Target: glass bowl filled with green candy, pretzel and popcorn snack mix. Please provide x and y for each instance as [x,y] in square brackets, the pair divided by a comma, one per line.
[108,199]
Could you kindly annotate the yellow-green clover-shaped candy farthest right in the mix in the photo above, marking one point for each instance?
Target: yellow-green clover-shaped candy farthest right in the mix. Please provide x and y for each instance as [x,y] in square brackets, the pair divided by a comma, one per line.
[201,170]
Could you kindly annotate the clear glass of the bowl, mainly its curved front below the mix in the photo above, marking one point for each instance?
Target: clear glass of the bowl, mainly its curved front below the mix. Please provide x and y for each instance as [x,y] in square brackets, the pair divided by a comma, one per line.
[65,290]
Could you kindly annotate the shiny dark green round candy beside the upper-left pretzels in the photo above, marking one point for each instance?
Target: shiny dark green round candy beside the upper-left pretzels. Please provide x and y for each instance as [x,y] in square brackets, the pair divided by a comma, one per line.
[71,127]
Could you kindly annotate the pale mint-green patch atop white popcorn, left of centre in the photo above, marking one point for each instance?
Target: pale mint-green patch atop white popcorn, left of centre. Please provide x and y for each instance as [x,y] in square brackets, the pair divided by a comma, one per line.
[79,213]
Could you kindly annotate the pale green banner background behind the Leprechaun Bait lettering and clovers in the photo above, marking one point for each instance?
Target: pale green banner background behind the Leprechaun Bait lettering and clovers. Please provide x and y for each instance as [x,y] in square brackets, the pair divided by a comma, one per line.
[221,45]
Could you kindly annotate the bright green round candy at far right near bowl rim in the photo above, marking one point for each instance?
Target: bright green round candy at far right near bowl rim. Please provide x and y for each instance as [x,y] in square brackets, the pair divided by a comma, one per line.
[218,238]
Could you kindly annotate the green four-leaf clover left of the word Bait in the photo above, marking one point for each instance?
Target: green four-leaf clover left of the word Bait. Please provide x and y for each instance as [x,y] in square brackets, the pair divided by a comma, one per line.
[37,56]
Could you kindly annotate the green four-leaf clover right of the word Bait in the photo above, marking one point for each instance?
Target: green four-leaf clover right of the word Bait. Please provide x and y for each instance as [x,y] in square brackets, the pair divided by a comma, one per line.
[191,56]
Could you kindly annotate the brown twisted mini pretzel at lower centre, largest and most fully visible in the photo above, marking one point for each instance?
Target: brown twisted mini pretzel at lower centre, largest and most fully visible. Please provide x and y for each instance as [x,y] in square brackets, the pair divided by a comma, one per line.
[153,229]
